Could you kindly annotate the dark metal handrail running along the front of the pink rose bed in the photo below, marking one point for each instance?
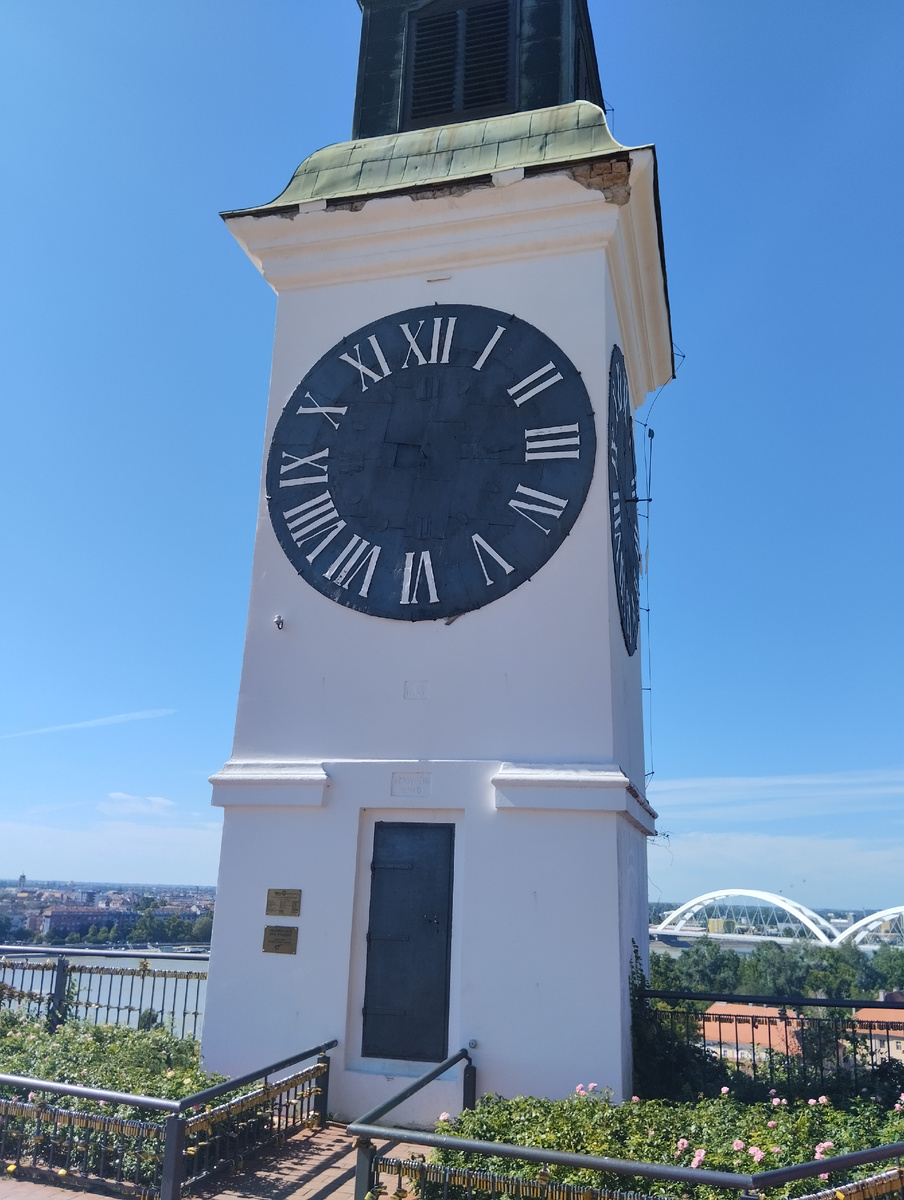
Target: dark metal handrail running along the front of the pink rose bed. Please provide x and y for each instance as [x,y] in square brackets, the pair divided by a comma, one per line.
[756,1183]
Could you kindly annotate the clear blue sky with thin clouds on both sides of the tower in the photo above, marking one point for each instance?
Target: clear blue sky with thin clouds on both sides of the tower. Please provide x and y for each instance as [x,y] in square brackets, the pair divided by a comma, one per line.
[135,345]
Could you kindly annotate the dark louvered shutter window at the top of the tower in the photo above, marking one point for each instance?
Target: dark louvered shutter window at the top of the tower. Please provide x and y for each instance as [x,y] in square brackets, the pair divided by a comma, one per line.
[460,63]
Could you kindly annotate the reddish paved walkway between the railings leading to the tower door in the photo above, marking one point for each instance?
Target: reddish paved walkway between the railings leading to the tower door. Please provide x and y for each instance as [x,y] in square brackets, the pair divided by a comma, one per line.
[313,1166]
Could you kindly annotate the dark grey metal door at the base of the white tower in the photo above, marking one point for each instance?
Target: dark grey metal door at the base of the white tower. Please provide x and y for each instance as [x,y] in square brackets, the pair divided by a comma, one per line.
[406,989]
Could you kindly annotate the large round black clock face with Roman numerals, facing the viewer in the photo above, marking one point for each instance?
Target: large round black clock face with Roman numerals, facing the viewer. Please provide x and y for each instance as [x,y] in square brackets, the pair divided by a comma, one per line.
[432,463]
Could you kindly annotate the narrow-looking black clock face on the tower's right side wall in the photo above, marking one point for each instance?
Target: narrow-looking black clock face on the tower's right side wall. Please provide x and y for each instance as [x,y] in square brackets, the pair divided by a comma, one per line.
[624,501]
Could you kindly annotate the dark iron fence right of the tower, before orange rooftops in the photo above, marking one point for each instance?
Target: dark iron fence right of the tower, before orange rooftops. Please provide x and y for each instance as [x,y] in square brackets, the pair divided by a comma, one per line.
[702,1041]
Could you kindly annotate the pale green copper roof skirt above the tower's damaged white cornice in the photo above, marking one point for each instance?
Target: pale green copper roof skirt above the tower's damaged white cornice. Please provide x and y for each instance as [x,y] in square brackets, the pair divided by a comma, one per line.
[451,153]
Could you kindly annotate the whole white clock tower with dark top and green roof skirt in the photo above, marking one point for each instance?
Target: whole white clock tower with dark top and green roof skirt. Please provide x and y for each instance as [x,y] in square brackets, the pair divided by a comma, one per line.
[435,823]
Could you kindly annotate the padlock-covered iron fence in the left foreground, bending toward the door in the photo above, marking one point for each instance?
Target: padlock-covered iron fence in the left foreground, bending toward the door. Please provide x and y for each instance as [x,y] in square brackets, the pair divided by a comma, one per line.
[173,1145]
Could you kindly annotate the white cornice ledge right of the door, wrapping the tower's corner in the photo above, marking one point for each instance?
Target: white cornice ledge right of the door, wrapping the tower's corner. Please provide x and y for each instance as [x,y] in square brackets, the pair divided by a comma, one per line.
[598,788]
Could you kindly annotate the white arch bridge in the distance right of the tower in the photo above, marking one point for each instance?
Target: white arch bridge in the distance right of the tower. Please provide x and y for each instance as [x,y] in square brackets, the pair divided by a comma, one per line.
[739,915]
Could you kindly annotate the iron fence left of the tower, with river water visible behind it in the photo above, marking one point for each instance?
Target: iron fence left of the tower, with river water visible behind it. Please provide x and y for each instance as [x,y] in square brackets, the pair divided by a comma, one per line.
[140,997]
